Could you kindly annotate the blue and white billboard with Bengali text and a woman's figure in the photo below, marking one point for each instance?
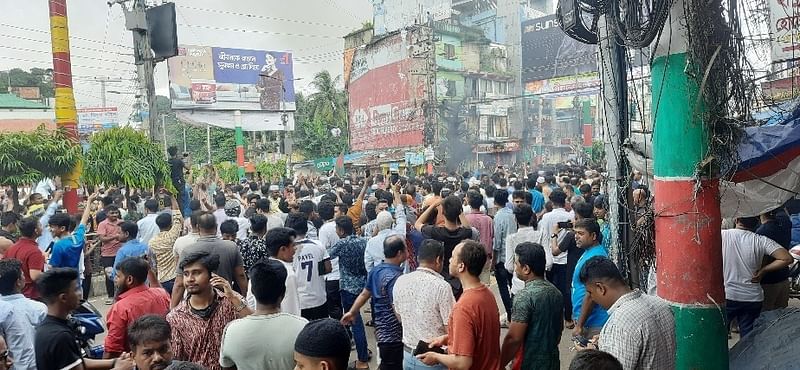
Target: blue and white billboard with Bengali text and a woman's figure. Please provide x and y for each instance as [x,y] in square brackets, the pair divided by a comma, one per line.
[214,78]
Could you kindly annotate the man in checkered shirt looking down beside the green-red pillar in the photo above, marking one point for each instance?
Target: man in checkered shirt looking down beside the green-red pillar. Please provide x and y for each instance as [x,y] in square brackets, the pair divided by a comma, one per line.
[640,331]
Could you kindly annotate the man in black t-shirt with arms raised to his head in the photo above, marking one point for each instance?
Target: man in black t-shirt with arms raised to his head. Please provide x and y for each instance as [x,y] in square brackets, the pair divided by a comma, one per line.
[455,230]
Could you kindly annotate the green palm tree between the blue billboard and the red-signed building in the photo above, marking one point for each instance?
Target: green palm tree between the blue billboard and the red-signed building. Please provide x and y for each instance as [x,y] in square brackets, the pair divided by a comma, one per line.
[320,113]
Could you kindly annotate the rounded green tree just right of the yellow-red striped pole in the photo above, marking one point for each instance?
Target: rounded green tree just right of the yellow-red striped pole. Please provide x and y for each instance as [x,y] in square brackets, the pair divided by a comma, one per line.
[124,156]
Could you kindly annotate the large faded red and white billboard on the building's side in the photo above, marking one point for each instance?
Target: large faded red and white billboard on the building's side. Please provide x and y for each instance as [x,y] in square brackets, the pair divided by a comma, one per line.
[387,94]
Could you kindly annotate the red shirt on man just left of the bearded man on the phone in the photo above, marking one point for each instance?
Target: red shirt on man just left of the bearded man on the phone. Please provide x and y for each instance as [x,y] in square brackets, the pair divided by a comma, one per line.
[131,305]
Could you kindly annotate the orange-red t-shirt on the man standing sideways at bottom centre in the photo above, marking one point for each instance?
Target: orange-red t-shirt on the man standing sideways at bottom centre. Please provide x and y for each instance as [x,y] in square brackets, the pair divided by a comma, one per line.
[474,329]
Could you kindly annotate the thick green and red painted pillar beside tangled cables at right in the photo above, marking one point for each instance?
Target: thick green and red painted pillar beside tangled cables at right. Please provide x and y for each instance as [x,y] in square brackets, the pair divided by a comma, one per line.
[688,221]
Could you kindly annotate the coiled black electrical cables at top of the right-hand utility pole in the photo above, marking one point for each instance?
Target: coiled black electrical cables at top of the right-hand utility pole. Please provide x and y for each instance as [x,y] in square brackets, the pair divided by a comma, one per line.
[635,22]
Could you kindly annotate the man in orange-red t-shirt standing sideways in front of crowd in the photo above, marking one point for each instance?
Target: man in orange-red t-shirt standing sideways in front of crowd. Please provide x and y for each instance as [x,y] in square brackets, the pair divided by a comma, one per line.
[473,333]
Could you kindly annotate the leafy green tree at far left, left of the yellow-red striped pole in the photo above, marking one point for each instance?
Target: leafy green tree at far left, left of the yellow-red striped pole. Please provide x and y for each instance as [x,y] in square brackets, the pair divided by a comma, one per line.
[27,157]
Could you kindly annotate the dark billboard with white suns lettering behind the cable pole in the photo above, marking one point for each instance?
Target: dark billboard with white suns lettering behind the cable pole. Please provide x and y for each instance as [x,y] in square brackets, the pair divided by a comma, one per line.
[547,52]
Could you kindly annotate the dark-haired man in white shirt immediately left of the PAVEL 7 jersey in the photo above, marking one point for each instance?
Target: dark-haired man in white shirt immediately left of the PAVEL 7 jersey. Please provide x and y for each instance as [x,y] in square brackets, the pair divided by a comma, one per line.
[281,245]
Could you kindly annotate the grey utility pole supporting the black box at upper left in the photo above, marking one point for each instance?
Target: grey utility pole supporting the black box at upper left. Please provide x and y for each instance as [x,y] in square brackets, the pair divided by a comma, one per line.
[136,21]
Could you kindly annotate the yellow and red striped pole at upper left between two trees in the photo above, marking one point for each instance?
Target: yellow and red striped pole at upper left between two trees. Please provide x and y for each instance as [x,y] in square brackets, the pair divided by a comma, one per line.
[66,115]
